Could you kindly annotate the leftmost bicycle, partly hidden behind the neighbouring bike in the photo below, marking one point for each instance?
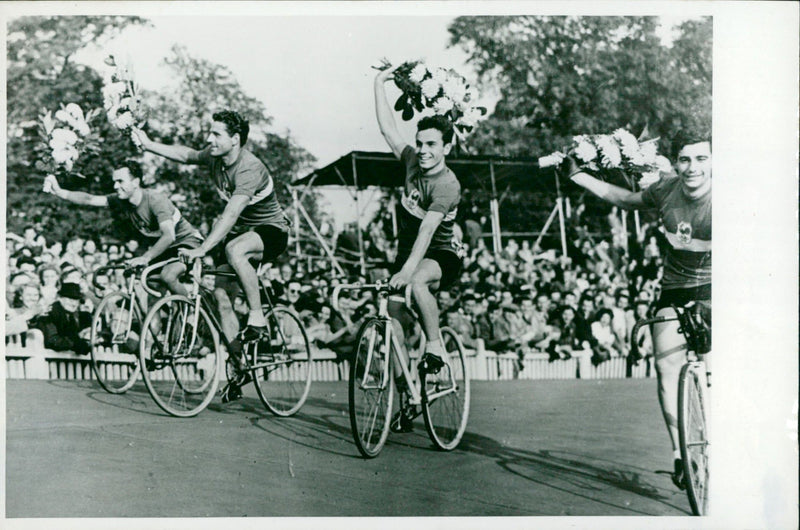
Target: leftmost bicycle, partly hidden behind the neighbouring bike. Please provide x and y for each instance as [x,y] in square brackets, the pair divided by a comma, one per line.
[116,328]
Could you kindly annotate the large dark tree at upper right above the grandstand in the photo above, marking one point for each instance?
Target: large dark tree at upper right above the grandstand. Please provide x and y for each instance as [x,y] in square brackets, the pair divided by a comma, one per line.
[562,76]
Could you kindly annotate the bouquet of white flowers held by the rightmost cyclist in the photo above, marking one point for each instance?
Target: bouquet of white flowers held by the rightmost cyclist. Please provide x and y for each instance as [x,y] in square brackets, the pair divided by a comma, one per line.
[608,155]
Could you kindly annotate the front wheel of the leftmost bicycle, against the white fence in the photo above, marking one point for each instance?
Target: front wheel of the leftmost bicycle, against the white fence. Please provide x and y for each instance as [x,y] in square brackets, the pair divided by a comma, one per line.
[114,339]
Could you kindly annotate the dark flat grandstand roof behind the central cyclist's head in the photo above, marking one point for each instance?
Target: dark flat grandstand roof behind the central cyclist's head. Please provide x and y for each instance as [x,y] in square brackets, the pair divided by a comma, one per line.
[364,169]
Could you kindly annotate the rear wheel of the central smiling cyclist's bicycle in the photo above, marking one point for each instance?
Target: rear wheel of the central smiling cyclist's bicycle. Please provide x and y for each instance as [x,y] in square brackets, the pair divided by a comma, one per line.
[445,398]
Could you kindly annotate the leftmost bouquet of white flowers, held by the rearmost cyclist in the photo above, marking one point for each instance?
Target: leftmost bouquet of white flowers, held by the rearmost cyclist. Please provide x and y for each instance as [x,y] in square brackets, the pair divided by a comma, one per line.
[65,137]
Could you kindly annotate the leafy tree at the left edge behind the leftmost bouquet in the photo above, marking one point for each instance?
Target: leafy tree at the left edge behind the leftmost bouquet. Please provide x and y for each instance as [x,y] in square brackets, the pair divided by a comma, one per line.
[41,74]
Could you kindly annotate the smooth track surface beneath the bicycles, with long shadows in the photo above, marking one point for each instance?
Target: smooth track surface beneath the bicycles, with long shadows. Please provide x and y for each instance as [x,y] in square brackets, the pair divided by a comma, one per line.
[531,448]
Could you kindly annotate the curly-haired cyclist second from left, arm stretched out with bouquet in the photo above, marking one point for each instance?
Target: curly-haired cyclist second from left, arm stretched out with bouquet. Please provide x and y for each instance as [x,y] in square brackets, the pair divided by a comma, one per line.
[252,225]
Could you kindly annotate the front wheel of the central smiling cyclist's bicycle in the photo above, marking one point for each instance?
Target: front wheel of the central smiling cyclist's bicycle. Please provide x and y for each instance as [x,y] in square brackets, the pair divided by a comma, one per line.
[370,389]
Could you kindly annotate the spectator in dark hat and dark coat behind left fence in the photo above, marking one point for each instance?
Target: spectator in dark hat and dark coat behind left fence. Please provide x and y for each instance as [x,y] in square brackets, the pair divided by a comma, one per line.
[63,324]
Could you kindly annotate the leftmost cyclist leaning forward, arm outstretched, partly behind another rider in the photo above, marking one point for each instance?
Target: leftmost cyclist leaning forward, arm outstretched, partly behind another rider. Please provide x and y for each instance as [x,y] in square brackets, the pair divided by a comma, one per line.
[150,212]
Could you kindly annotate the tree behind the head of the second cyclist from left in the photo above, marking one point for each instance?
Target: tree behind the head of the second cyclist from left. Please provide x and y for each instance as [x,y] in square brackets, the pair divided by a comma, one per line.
[183,116]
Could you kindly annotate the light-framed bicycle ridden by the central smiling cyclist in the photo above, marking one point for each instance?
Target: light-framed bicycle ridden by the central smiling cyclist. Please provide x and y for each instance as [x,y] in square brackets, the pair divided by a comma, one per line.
[444,398]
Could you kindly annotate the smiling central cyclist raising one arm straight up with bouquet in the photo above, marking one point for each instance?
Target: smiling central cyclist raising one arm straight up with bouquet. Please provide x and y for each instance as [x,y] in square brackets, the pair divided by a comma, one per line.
[428,256]
